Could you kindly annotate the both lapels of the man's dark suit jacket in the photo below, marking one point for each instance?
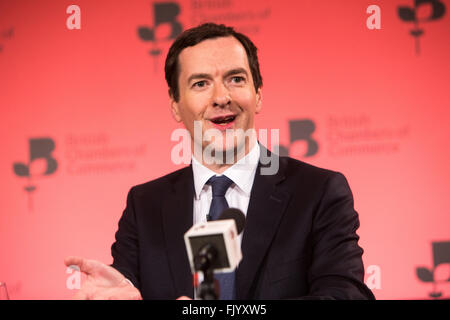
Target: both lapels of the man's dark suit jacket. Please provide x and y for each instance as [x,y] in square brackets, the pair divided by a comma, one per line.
[268,202]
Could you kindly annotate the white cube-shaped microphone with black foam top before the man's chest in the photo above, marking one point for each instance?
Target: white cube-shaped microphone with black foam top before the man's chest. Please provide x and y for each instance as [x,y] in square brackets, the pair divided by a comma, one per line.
[214,245]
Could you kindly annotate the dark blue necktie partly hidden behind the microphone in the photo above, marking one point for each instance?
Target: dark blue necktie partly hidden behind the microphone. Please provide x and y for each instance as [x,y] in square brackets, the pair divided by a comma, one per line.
[220,185]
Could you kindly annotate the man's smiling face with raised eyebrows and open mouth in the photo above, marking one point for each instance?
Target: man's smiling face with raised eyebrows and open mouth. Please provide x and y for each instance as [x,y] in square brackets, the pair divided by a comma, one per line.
[216,88]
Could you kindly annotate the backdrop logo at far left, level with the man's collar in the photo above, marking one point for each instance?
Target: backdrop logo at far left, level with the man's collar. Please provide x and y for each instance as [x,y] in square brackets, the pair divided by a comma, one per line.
[41,158]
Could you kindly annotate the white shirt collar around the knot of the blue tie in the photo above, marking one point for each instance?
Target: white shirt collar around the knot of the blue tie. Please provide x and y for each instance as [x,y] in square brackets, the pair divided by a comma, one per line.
[242,172]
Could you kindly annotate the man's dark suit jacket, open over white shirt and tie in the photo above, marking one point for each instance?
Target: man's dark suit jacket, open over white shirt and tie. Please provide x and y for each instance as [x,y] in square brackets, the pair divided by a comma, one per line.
[299,241]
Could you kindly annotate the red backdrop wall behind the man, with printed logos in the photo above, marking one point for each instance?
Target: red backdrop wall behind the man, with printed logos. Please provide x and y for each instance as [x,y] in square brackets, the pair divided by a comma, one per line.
[98,88]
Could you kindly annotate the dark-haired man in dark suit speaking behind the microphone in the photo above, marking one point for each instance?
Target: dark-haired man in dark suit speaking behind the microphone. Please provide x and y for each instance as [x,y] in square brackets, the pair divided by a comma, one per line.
[300,237]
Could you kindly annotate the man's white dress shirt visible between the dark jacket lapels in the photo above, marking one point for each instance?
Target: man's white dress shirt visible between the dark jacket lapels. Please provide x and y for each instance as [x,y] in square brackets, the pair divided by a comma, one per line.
[242,173]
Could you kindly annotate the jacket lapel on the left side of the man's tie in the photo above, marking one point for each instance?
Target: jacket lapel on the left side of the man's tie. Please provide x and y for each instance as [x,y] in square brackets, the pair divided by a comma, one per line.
[177,214]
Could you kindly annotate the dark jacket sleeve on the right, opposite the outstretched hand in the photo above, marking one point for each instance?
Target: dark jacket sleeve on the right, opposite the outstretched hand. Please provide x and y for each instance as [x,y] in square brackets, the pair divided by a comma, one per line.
[336,270]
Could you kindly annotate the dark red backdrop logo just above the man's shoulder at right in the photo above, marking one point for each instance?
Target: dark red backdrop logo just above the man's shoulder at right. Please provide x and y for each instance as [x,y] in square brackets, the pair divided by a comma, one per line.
[301,130]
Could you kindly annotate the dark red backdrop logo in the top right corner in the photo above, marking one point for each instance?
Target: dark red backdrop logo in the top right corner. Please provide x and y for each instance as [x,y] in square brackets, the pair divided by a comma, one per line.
[409,14]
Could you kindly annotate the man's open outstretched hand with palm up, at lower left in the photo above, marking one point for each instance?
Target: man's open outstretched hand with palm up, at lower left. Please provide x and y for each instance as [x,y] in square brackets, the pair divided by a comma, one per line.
[103,282]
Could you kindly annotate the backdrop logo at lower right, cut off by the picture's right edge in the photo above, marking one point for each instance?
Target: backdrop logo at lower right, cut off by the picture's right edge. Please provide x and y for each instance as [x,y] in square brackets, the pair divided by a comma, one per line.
[441,256]
